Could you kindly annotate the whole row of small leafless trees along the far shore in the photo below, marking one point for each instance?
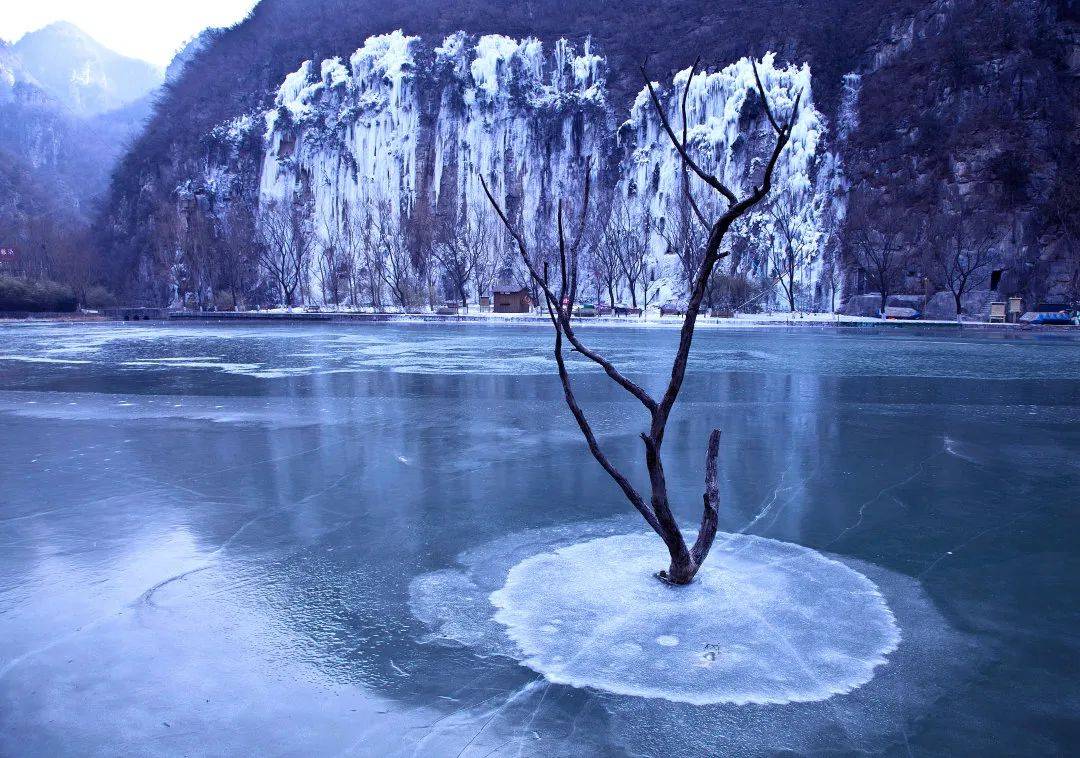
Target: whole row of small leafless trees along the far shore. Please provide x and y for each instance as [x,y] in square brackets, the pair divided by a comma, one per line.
[373,254]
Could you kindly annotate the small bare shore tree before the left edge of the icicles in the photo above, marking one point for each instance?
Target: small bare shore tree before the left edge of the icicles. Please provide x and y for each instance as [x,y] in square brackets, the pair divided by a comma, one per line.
[287,247]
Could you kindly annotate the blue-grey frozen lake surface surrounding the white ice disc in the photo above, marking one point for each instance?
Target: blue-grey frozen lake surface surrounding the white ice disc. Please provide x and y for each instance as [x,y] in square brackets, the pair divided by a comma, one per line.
[232,540]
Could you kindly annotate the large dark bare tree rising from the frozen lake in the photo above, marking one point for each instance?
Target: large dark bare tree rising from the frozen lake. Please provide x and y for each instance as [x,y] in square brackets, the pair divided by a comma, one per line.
[560,296]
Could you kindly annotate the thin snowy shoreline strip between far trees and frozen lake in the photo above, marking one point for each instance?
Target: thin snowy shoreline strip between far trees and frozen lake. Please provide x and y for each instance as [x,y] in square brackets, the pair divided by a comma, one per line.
[814,321]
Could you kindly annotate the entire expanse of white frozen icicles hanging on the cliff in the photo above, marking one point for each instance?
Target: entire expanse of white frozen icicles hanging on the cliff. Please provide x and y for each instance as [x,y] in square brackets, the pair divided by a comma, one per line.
[406,130]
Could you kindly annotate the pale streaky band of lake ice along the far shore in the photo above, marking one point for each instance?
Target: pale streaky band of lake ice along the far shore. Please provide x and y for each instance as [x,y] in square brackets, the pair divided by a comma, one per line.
[275,356]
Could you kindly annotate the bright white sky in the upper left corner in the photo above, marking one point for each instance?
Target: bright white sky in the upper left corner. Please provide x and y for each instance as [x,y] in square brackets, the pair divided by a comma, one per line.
[150,30]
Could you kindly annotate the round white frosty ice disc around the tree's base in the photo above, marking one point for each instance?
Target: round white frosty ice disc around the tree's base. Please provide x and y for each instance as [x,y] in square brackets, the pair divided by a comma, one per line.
[766,622]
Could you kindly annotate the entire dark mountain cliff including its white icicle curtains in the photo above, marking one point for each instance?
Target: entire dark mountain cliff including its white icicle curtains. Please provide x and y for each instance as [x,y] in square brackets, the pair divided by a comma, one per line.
[923,107]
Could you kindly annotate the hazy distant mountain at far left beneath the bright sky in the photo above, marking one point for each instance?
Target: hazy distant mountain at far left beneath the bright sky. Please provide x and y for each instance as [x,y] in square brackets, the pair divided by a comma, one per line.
[69,110]
